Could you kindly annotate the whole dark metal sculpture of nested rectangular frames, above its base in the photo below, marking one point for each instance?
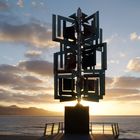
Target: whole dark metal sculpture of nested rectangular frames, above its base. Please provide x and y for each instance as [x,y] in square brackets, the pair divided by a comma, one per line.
[79,66]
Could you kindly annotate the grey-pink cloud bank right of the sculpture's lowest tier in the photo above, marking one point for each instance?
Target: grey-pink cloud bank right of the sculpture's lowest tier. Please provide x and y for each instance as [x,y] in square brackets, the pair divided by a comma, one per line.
[121,88]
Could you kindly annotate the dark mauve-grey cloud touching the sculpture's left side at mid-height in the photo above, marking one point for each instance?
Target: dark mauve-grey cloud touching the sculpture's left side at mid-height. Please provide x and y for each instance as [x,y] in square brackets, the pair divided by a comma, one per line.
[37,66]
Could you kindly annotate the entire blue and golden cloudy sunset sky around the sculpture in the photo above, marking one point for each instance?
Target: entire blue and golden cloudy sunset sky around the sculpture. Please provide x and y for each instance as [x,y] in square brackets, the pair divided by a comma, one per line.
[26,53]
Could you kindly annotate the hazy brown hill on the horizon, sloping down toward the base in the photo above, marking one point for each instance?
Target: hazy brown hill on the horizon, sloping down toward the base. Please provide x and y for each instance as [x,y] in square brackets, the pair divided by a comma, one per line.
[31,111]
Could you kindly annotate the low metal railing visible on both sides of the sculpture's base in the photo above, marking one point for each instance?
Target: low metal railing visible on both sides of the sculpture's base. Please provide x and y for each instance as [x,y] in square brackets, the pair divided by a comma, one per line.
[94,128]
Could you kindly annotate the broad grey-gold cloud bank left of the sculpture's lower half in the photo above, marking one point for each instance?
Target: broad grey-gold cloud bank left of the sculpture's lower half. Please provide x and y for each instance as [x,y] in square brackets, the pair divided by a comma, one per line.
[24,76]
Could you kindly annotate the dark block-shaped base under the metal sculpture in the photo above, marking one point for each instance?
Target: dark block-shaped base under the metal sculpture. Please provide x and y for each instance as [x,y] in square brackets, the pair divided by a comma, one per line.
[76,120]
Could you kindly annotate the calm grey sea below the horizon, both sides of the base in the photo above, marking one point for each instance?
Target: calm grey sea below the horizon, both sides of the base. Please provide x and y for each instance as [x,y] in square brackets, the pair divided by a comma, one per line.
[34,125]
